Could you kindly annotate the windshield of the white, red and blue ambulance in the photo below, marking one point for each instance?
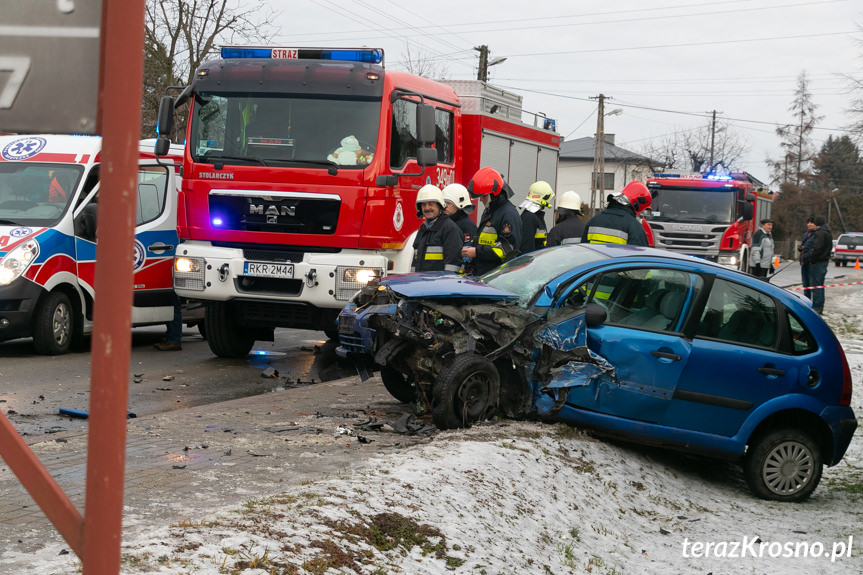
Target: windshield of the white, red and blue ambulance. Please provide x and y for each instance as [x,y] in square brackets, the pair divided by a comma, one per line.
[36,194]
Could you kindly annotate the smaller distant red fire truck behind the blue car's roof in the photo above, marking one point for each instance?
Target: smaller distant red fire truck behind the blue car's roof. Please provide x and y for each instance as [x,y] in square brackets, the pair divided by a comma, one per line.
[708,216]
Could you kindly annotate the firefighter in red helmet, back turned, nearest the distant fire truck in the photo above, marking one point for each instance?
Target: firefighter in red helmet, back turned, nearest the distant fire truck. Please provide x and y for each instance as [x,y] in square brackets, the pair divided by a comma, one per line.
[617,224]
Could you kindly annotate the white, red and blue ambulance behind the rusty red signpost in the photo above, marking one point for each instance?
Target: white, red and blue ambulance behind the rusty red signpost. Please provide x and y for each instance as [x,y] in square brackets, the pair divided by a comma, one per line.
[49,192]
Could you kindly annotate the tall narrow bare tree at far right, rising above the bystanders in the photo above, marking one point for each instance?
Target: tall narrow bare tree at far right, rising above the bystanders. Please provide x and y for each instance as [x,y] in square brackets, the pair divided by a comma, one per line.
[795,167]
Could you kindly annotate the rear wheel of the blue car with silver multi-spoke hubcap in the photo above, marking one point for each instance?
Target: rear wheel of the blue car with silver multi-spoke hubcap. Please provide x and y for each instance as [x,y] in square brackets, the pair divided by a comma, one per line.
[783,465]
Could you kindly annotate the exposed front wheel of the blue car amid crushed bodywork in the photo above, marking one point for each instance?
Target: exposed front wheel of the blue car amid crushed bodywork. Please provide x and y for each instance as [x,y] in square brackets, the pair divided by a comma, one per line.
[465,392]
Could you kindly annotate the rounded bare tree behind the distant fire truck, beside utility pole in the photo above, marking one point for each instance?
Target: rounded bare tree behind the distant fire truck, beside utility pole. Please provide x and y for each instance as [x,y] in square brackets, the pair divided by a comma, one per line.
[691,149]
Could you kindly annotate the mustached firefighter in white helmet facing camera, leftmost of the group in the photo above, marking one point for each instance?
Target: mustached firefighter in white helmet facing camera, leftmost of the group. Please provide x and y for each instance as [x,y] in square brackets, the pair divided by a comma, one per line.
[438,243]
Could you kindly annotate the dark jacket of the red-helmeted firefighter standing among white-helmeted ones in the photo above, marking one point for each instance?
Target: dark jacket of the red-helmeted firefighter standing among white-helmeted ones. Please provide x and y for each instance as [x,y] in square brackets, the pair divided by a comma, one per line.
[499,235]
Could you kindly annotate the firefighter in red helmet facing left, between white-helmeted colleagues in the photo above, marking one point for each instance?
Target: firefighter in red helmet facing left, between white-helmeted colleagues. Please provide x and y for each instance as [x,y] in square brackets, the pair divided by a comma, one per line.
[500,230]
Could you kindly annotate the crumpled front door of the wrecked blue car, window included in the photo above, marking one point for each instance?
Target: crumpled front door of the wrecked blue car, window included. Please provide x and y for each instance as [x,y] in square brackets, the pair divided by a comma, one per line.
[637,354]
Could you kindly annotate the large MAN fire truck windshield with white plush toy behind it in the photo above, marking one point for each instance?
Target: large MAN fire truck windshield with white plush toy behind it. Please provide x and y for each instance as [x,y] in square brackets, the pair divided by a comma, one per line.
[278,130]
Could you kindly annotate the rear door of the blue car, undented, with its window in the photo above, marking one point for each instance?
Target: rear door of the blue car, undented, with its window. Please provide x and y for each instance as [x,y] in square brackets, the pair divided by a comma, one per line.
[735,363]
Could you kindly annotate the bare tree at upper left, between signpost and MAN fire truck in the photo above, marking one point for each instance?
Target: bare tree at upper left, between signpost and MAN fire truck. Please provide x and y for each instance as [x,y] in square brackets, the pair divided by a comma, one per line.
[180,35]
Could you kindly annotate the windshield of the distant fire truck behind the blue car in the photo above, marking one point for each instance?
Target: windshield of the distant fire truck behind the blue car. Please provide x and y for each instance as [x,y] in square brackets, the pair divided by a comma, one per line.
[709,206]
